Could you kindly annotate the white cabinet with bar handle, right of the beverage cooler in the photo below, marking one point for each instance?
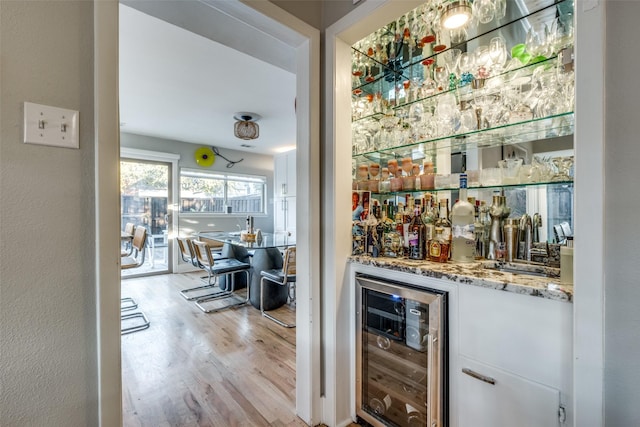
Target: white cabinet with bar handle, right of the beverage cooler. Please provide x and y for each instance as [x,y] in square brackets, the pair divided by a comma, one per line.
[523,345]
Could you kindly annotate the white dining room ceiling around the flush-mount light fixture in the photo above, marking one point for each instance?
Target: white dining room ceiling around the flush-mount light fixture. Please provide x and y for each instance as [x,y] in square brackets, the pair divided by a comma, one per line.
[179,85]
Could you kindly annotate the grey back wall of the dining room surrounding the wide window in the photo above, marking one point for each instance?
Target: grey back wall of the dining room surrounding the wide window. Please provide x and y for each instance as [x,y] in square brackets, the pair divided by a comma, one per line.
[253,164]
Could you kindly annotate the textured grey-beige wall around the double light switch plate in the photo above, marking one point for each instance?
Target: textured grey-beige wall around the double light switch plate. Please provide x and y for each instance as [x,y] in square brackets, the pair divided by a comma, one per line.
[48,373]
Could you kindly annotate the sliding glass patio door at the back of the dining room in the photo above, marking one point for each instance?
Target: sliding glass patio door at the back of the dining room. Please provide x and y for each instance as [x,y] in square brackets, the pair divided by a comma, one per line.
[145,195]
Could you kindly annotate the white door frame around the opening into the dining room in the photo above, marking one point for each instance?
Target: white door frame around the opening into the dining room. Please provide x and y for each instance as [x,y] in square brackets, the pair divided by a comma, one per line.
[308,400]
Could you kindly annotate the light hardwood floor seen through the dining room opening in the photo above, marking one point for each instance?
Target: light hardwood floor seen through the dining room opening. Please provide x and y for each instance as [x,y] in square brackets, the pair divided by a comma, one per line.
[231,368]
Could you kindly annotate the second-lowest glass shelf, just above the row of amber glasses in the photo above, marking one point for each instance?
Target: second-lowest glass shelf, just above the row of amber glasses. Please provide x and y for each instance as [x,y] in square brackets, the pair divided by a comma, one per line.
[514,133]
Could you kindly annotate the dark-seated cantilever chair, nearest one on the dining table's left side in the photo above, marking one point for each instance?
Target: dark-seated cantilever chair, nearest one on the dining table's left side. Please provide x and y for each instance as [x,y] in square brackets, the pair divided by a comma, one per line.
[224,267]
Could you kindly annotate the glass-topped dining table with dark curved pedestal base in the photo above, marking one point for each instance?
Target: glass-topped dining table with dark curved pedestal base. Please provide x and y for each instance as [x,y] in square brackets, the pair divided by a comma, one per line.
[263,254]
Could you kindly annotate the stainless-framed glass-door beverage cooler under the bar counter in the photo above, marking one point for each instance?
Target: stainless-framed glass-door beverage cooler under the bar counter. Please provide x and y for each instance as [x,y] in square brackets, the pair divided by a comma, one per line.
[401,345]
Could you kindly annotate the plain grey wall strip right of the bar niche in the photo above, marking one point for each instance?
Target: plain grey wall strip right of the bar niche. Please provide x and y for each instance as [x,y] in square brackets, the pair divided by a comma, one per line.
[622,201]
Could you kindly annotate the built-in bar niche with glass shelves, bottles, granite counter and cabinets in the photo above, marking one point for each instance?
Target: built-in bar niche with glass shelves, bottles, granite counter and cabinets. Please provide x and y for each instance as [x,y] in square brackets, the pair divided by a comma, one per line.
[462,130]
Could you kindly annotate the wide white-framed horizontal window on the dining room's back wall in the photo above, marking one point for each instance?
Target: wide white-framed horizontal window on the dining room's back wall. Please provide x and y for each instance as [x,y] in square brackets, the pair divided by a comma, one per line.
[208,192]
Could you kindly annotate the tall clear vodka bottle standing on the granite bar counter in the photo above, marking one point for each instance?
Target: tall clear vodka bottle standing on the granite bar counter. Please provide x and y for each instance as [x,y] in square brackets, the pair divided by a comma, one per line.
[463,240]
